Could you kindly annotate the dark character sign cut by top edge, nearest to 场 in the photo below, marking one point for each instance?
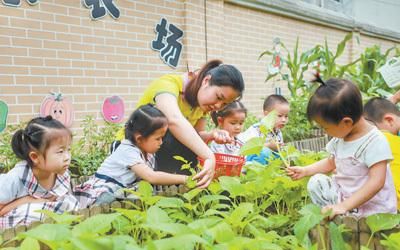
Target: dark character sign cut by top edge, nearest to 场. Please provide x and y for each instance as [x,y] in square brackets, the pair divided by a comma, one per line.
[100,7]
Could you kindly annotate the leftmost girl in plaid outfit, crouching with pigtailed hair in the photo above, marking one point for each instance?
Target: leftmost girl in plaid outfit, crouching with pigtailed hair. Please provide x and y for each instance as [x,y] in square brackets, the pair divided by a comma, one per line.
[41,181]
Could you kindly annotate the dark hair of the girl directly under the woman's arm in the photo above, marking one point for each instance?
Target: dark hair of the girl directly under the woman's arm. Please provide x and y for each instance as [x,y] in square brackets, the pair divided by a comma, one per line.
[144,120]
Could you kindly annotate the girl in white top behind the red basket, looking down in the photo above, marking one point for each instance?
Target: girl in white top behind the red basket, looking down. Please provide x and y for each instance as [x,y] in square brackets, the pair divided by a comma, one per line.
[230,118]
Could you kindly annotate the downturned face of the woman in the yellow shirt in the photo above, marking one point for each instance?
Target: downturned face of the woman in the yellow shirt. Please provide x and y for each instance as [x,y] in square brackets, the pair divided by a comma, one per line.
[213,98]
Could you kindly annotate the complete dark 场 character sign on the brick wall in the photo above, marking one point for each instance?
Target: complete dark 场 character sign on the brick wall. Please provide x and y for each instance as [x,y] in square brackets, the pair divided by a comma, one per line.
[167,42]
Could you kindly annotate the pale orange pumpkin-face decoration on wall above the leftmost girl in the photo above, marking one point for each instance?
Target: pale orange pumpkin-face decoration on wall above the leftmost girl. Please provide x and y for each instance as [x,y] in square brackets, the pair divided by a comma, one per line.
[59,107]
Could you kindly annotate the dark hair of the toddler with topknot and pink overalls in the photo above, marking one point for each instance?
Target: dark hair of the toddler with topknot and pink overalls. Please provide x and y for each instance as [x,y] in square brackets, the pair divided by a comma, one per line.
[334,100]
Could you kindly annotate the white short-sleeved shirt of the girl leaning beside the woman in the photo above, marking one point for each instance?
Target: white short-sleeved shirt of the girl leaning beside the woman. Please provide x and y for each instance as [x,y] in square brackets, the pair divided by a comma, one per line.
[118,164]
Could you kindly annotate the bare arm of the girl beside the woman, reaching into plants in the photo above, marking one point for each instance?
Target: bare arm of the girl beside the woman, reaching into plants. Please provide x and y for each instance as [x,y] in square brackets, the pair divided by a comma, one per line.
[158,177]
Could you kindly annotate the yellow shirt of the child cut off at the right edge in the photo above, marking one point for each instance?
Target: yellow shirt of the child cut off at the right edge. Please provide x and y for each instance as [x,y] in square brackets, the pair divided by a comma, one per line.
[394,142]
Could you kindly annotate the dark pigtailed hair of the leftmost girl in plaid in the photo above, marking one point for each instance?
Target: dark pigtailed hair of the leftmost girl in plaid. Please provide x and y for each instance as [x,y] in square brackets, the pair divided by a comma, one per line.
[37,136]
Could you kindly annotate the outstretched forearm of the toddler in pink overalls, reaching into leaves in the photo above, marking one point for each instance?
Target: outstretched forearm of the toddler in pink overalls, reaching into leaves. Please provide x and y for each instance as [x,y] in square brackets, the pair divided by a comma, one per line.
[323,166]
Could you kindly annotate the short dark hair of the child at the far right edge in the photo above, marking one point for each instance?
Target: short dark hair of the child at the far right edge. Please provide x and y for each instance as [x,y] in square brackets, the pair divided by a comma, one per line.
[376,108]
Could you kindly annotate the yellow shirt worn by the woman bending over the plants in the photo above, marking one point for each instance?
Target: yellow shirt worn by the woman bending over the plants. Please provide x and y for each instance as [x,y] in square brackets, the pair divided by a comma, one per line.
[172,84]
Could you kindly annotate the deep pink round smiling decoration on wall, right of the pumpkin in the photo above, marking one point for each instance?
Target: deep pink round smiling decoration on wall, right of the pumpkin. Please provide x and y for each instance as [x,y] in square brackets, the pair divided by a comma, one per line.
[113,109]
